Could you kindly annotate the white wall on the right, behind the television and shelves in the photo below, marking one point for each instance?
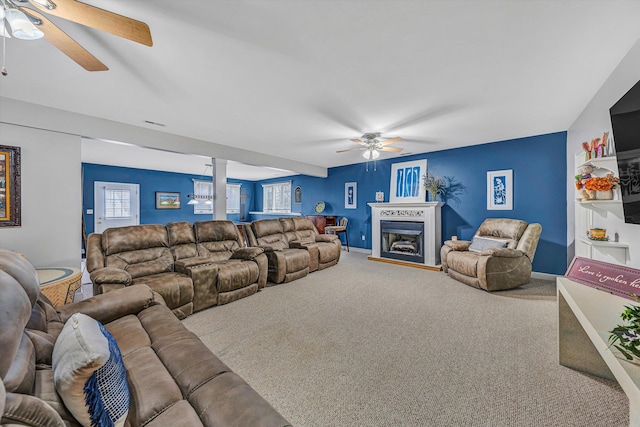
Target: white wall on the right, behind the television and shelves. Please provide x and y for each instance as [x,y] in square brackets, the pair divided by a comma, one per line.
[593,121]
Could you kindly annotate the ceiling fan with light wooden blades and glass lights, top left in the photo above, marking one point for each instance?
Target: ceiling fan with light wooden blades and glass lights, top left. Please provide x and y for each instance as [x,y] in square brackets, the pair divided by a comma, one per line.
[29,24]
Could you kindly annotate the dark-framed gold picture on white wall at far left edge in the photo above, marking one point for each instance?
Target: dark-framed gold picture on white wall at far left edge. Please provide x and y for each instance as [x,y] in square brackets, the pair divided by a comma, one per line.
[10,212]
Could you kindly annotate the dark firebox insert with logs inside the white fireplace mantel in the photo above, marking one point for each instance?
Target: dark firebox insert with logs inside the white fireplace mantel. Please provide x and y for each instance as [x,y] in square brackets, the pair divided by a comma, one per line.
[402,240]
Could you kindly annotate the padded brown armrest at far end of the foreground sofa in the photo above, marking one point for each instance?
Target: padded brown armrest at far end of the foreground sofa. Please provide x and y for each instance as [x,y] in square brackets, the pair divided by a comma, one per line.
[112,305]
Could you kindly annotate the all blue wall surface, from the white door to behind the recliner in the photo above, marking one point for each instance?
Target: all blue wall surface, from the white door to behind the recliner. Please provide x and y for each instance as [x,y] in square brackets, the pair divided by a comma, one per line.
[539,194]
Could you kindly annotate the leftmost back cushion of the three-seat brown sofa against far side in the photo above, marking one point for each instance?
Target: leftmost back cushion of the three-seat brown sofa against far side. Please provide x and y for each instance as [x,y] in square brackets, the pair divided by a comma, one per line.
[141,250]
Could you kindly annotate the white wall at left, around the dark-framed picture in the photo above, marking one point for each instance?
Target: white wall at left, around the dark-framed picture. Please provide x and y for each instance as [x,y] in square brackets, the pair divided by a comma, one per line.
[51,230]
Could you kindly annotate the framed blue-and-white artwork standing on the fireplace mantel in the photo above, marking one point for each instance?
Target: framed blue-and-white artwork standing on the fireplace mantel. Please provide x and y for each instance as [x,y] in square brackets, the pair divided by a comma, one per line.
[406,182]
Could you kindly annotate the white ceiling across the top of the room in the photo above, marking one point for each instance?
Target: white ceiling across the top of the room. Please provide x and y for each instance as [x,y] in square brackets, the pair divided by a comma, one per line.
[297,79]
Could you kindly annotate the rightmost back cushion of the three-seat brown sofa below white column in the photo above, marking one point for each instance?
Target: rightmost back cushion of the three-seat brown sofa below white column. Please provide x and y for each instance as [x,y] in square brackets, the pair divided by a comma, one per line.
[217,240]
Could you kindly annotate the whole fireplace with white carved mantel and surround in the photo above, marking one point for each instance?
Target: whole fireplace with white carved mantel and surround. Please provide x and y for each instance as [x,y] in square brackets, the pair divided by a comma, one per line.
[406,232]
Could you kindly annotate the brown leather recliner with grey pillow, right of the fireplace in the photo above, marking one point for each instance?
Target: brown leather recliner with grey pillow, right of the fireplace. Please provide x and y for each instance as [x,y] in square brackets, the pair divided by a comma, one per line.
[499,257]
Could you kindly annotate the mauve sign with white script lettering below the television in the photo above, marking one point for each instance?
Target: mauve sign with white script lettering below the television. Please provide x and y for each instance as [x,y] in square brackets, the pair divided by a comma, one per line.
[617,279]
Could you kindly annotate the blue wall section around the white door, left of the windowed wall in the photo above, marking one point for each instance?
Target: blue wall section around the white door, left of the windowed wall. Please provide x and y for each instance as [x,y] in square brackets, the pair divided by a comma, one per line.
[151,181]
